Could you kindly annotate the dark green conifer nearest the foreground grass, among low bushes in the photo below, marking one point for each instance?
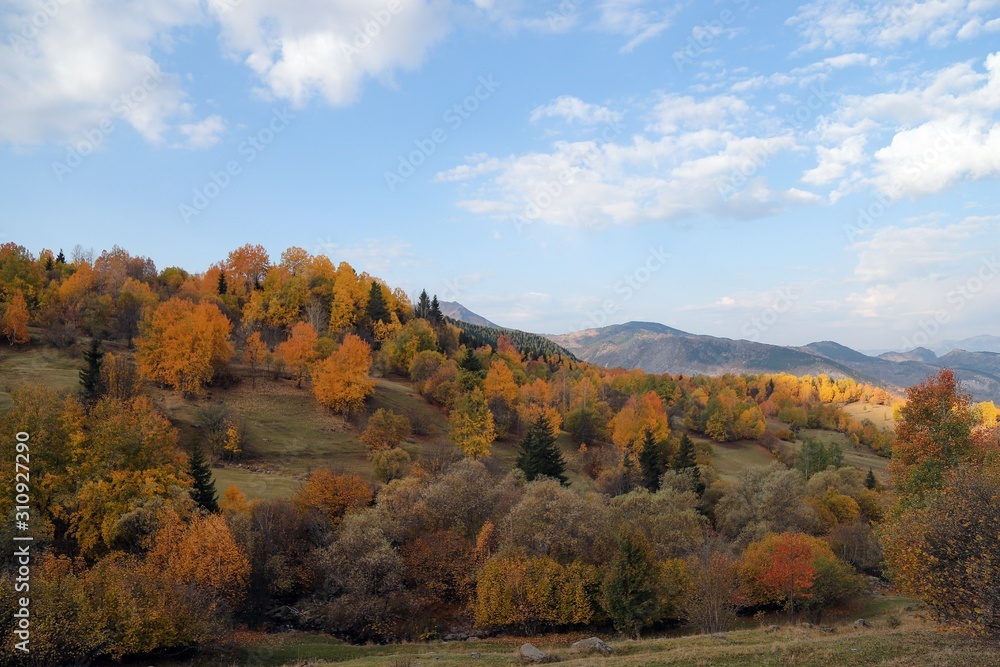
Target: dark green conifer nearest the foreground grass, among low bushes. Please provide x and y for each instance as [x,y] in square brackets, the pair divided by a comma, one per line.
[631,590]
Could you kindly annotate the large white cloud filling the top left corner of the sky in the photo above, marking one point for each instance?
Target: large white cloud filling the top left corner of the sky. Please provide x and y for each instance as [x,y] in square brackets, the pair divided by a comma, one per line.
[89,64]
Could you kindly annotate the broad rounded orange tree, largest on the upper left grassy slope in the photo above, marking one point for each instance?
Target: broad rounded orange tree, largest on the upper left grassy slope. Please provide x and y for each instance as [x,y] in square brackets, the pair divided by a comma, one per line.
[183,345]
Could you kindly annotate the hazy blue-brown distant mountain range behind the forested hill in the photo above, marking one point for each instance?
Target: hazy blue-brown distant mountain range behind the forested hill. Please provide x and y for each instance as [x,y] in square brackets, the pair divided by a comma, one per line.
[657,348]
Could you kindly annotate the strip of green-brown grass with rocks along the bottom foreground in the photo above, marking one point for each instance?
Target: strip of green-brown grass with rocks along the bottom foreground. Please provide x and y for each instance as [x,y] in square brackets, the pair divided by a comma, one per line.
[898,637]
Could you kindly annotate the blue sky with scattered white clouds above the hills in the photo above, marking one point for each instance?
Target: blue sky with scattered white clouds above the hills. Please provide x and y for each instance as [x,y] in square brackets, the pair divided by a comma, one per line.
[780,172]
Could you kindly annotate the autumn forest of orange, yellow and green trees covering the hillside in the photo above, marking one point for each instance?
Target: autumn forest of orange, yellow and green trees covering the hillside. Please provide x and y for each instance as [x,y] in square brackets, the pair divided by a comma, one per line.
[530,493]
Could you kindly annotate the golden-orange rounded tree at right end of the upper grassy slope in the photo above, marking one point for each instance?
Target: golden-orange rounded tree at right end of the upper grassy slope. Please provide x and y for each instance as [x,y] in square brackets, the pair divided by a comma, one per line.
[341,382]
